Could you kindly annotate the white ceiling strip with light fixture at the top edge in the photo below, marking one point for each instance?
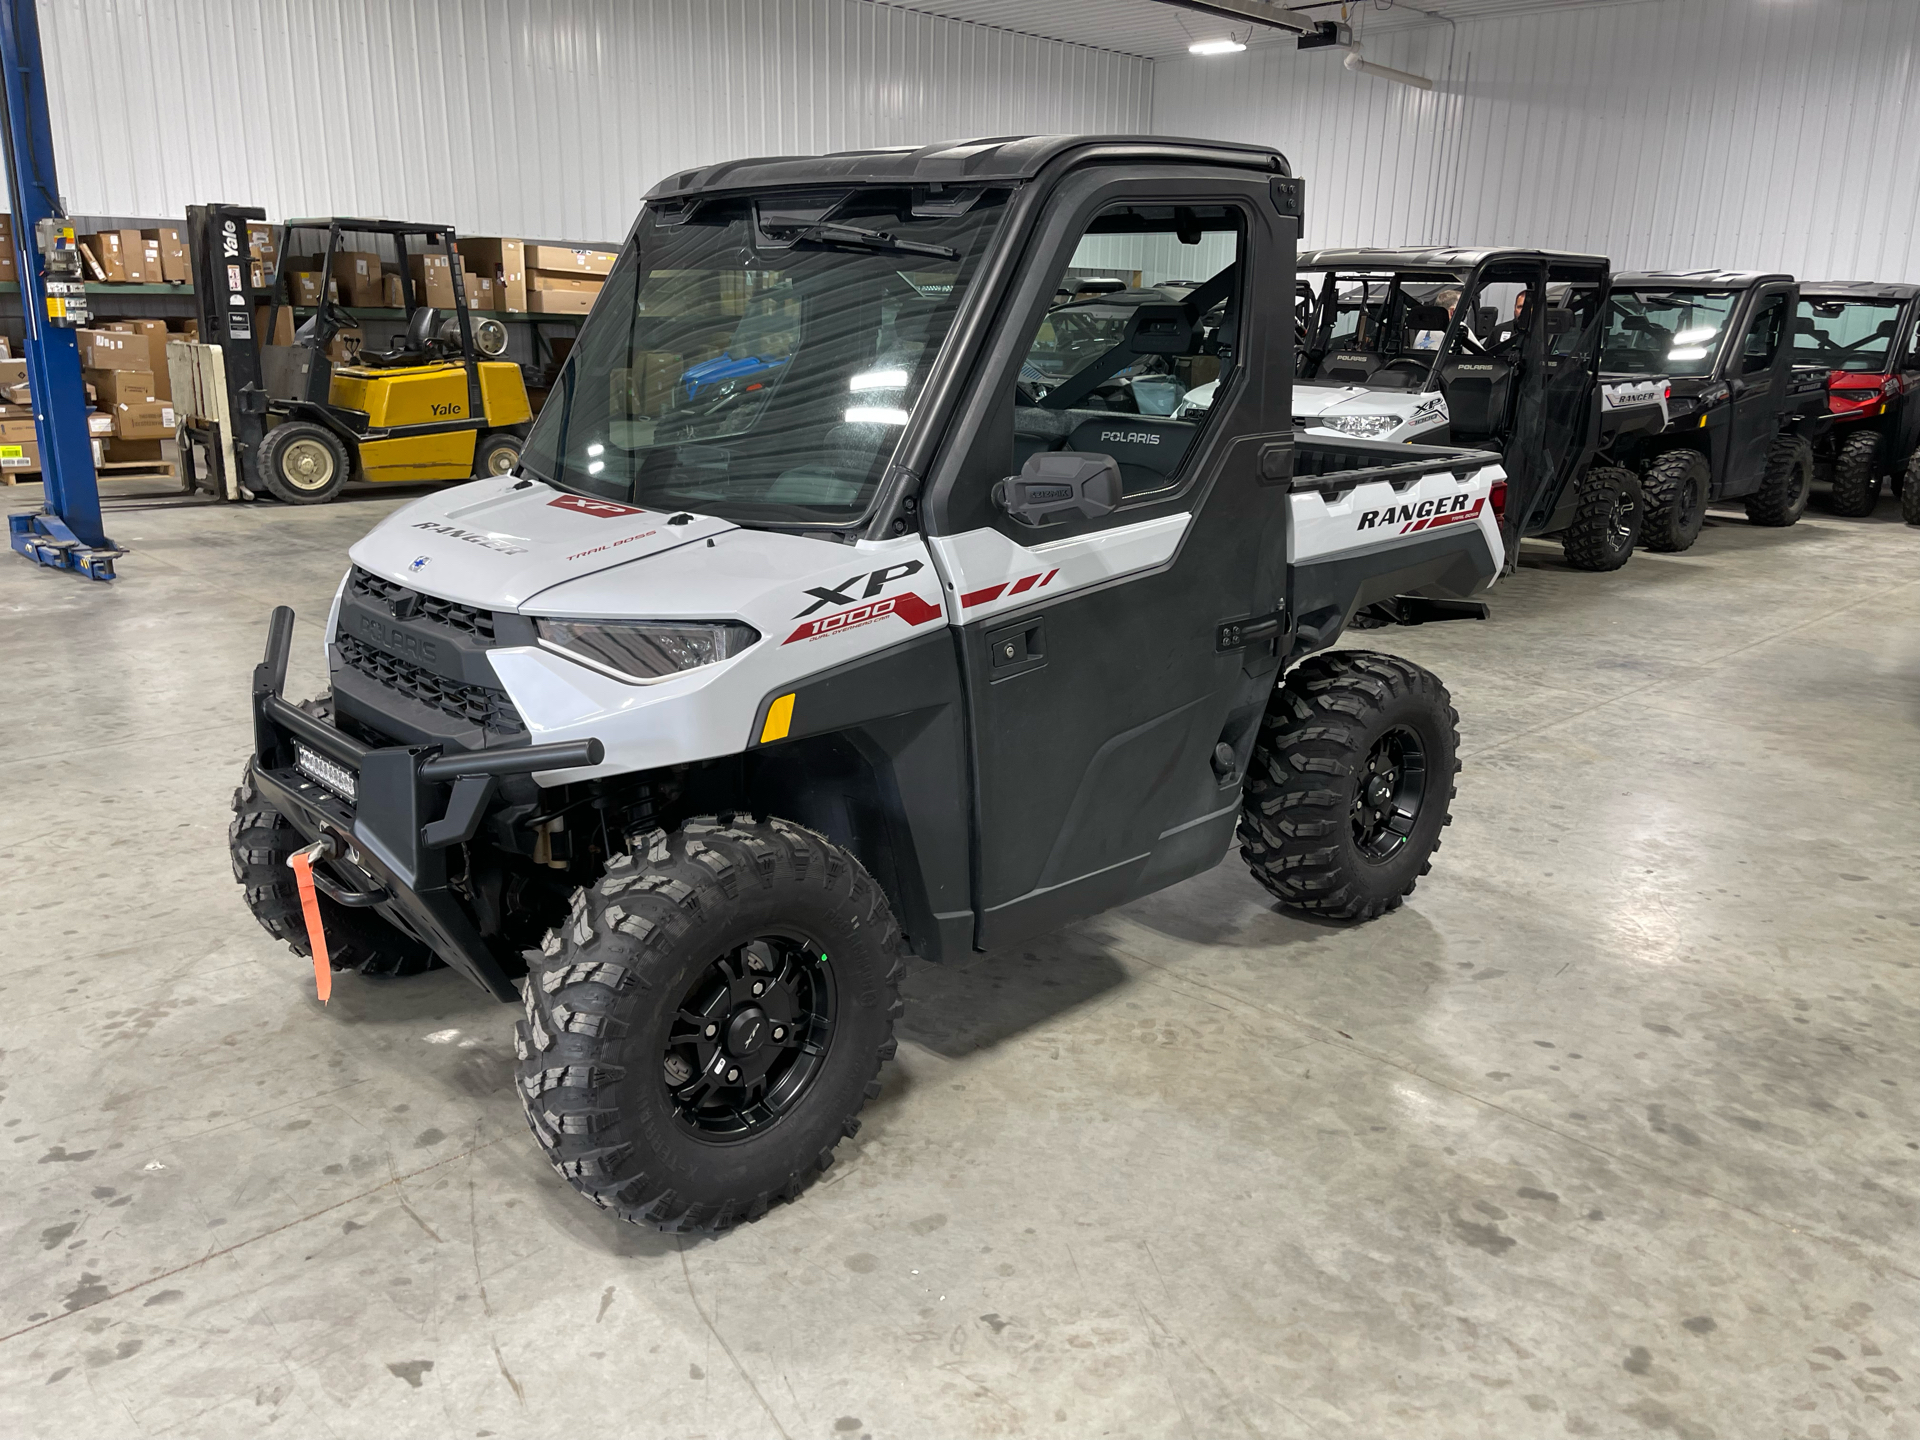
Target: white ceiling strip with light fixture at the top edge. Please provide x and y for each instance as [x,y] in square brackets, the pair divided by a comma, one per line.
[1163,32]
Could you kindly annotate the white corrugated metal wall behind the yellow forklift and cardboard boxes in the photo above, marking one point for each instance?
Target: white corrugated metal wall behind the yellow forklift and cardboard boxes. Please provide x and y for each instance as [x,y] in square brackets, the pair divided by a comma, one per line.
[537,118]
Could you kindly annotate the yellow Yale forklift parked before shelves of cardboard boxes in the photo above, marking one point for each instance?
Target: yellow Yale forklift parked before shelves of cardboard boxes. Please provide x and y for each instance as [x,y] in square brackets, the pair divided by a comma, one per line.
[287,421]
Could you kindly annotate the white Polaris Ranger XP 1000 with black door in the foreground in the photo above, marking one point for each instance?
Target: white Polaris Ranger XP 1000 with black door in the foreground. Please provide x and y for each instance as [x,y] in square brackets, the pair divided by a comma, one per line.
[694,727]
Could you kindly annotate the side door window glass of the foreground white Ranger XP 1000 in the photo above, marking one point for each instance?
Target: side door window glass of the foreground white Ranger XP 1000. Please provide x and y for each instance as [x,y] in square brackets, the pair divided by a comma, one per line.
[1138,343]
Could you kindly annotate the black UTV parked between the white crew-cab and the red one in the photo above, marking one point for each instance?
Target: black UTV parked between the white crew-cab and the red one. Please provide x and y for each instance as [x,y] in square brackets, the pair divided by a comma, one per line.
[1744,416]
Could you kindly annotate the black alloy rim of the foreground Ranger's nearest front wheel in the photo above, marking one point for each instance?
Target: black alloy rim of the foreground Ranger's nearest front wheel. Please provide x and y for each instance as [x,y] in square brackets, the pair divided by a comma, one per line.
[750,1038]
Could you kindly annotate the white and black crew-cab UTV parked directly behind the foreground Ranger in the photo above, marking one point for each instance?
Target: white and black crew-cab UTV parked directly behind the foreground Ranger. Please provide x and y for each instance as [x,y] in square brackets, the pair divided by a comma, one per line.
[1493,348]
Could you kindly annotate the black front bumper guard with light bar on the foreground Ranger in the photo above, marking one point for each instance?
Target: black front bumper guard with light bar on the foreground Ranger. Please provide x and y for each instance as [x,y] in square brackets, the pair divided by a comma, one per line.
[396,855]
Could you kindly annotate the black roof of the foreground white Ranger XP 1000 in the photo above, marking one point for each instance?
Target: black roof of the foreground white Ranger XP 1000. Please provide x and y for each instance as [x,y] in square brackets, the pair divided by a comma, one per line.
[963,162]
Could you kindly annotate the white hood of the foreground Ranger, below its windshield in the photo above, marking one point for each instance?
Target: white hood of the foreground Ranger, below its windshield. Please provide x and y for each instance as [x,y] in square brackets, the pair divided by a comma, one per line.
[496,544]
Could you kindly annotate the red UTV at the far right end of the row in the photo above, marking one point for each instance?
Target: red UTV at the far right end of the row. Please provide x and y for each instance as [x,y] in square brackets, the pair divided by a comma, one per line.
[1869,337]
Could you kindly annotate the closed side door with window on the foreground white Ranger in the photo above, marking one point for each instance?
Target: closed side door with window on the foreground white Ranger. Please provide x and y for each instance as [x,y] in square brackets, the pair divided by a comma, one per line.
[1111,719]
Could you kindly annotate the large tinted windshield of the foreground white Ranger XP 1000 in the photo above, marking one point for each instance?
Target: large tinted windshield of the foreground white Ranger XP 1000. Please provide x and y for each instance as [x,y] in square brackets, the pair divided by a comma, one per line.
[759,358]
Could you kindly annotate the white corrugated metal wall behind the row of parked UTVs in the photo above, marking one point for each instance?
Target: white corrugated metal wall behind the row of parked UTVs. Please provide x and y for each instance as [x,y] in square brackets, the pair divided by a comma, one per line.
[1669,133]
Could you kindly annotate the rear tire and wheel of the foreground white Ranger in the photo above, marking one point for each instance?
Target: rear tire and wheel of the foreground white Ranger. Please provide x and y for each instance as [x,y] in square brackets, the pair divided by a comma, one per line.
[1351,784]
